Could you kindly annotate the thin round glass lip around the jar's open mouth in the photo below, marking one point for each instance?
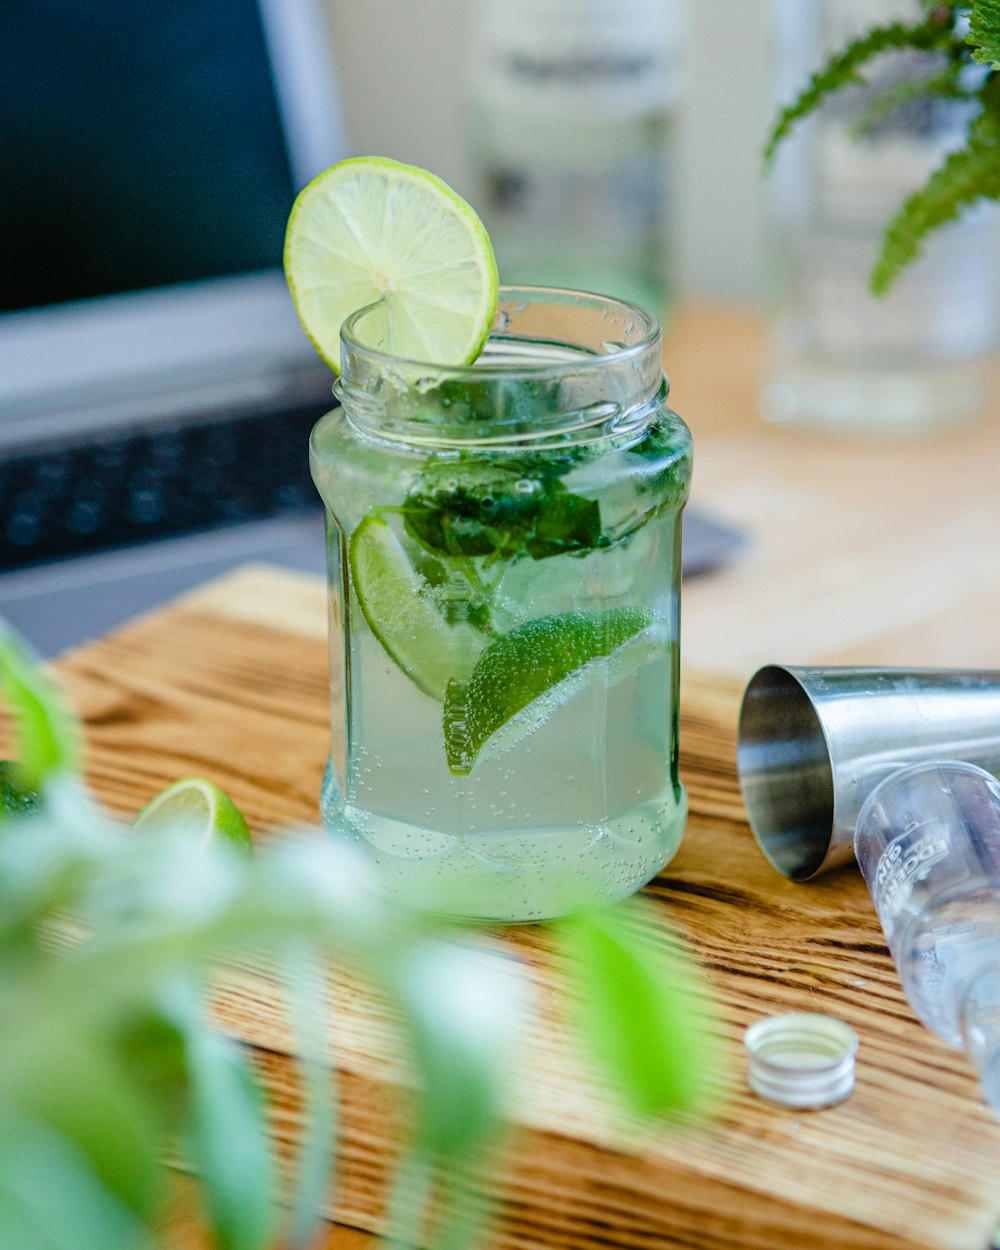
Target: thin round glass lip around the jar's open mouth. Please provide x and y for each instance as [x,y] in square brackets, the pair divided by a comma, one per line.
[649,337]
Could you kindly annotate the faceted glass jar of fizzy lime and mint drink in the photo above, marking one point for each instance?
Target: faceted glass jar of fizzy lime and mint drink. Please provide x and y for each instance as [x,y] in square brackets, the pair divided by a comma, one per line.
[504,568]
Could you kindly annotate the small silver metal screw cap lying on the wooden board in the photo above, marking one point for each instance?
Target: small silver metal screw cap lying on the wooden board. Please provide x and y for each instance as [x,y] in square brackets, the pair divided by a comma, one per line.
[802,1059]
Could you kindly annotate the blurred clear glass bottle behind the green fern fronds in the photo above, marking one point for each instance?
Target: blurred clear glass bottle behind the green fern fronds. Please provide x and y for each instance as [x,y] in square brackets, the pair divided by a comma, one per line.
[842,358]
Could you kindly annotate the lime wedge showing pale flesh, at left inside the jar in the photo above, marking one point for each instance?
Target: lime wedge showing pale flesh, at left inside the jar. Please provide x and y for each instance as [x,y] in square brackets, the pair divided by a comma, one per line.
[396,603]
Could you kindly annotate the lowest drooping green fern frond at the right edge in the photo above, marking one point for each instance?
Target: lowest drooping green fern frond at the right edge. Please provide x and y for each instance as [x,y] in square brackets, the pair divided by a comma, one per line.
[967,176]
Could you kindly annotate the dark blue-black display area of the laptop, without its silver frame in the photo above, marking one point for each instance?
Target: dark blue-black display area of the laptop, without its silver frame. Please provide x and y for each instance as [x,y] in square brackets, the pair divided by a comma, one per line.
[143,147]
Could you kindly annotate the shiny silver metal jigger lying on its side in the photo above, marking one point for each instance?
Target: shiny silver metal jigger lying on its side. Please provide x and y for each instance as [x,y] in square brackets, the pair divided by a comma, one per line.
[814,743]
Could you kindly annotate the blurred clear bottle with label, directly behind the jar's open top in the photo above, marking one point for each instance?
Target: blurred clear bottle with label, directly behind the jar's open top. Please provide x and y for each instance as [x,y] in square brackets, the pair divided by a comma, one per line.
[572,138]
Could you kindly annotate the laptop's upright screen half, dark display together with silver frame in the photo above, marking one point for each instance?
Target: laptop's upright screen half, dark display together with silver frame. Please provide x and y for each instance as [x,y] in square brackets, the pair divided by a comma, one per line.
[152,153]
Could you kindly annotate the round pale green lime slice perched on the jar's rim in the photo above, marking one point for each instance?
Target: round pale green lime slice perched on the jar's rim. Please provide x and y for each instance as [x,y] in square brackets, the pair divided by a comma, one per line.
[372,229]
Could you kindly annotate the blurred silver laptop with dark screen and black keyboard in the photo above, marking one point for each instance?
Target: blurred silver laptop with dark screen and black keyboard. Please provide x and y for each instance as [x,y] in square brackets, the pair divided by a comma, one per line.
[157,391]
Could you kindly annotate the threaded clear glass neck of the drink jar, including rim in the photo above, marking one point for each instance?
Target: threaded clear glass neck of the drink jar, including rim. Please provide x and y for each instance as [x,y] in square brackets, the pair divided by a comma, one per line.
[561,368]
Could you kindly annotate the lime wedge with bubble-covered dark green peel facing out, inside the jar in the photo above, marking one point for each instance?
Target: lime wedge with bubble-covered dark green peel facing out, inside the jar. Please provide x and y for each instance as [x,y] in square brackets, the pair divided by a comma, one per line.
[507,689]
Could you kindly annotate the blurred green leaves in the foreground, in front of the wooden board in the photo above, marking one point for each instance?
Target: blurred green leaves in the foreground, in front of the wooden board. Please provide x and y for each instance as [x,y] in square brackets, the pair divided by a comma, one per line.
[107,938]
